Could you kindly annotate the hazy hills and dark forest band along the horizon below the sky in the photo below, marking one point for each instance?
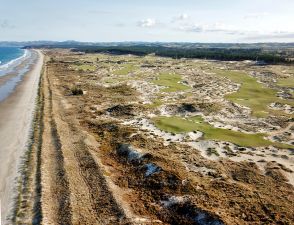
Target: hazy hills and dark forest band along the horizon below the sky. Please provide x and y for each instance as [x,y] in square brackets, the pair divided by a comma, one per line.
[265,52]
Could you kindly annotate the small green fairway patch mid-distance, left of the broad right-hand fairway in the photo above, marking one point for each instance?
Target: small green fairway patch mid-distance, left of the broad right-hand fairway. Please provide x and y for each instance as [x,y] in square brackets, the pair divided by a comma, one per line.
[171,81]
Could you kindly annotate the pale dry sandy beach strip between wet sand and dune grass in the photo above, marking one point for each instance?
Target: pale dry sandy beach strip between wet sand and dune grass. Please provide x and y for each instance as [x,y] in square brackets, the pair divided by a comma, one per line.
[16,114]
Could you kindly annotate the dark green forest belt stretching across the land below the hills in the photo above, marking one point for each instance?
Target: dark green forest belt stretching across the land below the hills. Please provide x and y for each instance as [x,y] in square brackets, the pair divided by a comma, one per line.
[194,52]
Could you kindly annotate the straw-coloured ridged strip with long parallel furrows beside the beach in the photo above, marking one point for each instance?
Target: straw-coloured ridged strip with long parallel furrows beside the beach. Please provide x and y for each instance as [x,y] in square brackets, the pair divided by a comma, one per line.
[78,177]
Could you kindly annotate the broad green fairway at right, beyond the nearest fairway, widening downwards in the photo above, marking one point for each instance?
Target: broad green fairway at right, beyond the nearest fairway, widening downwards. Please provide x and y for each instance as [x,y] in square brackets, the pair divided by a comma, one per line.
[251,93]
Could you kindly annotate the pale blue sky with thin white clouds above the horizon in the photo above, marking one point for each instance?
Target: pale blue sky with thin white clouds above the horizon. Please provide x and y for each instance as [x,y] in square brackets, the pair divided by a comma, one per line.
[148,20]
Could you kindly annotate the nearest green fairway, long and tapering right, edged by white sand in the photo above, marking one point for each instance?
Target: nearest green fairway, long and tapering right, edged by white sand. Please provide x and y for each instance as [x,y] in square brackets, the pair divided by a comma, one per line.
[181,125]
